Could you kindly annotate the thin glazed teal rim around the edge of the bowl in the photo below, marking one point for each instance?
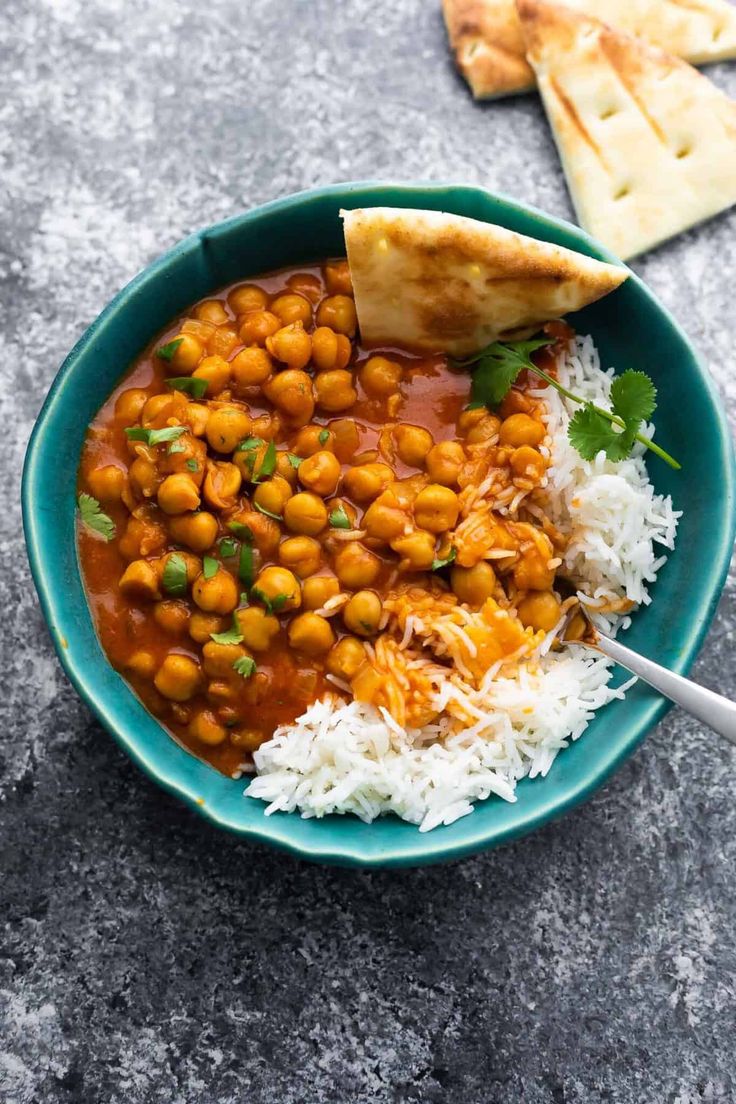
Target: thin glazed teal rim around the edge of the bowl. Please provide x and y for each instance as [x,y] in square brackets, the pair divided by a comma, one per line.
[266,832]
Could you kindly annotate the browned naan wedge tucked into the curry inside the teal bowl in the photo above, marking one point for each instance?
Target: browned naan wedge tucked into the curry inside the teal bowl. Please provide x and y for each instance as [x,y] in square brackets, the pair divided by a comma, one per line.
[441,283]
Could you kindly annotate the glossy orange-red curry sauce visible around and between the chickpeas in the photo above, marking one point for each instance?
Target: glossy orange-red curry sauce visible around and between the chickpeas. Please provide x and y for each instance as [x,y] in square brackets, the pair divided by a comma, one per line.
[432,396]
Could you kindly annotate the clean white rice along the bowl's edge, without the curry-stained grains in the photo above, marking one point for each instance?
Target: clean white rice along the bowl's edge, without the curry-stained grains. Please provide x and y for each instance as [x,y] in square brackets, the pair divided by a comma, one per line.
[349,758]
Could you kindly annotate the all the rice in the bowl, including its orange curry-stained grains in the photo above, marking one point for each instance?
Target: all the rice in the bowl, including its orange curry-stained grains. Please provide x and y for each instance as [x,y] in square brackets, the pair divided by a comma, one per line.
[432,739]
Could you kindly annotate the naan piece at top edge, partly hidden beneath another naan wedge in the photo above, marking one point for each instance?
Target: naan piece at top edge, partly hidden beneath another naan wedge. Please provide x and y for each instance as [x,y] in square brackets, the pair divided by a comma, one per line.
[489,48]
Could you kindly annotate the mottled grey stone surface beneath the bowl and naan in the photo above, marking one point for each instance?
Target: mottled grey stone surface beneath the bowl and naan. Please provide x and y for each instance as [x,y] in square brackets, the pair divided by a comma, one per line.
[147,958]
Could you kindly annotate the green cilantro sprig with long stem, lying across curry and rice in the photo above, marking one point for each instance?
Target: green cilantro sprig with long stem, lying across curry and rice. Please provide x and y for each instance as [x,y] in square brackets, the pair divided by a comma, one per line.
[592,430]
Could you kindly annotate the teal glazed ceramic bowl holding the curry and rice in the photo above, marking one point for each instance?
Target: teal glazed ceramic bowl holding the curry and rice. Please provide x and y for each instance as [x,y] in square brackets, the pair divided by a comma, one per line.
[632,331]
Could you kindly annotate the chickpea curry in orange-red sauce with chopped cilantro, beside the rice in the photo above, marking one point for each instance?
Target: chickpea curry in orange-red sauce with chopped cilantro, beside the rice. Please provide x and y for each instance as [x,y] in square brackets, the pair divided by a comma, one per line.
[270,512]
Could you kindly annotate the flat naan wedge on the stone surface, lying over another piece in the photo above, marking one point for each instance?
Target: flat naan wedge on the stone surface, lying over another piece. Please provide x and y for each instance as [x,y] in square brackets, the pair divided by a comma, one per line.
[647,143]
